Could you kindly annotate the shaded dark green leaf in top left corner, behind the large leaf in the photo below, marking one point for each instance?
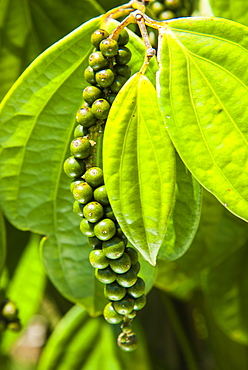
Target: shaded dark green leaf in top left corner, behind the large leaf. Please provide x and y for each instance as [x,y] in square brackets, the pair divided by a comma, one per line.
[28,27]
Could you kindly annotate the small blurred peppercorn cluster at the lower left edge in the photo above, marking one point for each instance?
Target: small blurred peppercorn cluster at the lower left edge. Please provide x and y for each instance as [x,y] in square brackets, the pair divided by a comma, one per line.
[9,316]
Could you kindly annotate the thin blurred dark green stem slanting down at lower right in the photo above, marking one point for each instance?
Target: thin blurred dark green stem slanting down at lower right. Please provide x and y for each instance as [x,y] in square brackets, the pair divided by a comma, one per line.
[179,332]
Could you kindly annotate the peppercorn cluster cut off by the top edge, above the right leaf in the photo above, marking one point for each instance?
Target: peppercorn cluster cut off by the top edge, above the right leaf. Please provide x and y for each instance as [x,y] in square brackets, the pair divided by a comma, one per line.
[169,9]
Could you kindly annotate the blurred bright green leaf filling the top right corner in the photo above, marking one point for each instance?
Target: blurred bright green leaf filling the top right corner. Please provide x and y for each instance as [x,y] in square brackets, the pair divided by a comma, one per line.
[236,10]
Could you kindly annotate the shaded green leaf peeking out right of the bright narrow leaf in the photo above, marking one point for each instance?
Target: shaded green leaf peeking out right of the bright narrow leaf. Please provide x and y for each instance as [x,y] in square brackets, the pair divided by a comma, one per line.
[185,217]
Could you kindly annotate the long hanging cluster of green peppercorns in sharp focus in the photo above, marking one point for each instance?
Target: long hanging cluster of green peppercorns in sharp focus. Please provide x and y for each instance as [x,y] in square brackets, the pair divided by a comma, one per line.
[116,263]
